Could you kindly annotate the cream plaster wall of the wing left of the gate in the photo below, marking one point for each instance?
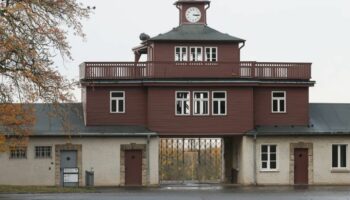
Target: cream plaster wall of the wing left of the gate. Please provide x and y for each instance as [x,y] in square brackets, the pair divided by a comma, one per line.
[102,155]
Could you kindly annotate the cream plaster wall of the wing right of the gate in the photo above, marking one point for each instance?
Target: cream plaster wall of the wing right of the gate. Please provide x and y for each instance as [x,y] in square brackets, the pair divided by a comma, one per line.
[322,160]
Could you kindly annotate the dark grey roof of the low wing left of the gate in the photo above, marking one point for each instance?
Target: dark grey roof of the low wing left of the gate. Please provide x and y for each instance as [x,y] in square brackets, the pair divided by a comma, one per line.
[49,124]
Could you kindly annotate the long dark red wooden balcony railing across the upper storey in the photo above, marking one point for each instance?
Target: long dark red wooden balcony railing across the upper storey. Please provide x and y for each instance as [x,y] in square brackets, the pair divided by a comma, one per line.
[141,70]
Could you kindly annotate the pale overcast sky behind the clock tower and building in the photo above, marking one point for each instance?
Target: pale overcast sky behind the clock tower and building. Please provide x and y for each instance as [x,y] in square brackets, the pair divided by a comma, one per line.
[316,31]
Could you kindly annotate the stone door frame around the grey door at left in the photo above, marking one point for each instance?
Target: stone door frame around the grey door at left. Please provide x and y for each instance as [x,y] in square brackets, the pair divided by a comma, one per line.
[67,147]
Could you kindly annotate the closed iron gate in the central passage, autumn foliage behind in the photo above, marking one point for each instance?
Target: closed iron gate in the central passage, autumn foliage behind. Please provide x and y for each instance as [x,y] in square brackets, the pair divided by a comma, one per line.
[191,160]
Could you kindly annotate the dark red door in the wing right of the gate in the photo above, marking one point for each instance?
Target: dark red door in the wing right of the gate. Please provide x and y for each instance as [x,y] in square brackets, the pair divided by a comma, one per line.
[301,166]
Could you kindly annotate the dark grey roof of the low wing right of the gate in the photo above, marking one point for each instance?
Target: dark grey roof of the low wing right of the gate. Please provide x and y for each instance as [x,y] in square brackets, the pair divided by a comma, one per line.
[325,119]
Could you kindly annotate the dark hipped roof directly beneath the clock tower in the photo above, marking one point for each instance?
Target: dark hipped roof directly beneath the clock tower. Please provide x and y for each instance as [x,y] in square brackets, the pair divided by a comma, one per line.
[195,32]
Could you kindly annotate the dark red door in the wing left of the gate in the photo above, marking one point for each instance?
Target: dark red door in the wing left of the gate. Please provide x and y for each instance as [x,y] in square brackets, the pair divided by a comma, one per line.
[133,167]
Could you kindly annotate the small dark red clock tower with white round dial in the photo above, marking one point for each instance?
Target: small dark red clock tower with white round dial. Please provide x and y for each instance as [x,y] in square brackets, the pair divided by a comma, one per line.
[193,11]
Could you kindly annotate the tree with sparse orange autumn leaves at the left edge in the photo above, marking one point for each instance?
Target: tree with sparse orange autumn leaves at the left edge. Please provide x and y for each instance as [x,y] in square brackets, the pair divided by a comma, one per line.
[30,32]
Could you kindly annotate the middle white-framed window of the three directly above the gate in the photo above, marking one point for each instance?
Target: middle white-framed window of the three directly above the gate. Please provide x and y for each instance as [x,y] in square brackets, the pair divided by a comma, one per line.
[201,103]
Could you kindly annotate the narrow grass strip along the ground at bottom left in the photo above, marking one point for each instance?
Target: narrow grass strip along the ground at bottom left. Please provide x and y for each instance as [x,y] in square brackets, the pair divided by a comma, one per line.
[43,189]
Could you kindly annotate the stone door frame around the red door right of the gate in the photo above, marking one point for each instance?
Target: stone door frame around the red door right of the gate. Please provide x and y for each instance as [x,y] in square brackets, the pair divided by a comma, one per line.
[301,145]
